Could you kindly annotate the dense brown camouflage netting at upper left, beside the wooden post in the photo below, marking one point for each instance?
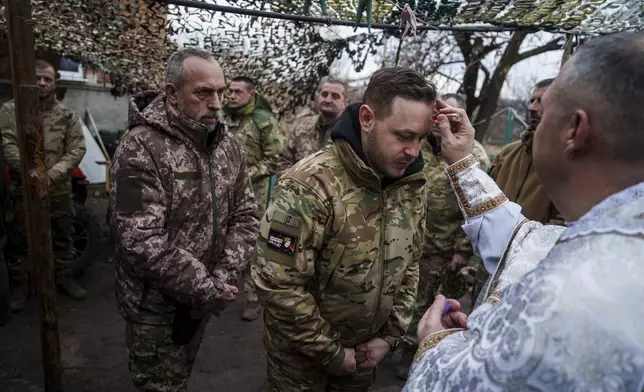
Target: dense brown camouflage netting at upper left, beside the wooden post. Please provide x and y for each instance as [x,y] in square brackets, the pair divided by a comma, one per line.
[125,39]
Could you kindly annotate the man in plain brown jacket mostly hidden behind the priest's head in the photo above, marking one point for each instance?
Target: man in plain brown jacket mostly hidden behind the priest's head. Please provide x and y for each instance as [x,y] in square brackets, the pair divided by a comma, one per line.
[514,173]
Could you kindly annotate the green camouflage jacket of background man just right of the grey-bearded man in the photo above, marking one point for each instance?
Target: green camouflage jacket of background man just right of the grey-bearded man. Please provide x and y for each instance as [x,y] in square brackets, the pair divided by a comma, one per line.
[257,131]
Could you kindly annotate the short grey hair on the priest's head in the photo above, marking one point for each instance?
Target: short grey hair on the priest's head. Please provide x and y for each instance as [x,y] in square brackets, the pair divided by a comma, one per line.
[605,78]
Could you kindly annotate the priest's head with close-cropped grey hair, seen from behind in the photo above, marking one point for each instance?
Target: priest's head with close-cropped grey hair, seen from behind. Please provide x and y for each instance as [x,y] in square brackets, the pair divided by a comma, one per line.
[590,142]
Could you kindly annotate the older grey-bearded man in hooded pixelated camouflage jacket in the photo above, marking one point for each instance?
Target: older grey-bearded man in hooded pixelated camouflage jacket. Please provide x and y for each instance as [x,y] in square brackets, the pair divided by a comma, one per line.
[184,220]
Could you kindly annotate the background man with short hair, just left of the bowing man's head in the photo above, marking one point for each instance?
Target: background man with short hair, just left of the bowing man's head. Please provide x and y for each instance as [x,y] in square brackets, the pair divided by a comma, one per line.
[312,133]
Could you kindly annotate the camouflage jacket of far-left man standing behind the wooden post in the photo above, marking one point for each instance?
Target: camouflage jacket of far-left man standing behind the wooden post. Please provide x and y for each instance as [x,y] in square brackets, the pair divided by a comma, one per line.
[64,144]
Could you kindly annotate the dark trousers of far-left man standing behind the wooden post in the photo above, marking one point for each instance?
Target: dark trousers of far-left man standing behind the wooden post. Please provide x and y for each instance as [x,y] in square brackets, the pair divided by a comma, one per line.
[61,209]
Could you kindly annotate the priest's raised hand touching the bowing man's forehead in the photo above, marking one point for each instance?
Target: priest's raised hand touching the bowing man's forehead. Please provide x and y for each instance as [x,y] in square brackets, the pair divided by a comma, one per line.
[456,133]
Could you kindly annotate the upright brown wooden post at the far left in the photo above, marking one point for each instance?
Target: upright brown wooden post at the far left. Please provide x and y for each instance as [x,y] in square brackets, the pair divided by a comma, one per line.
[35,182]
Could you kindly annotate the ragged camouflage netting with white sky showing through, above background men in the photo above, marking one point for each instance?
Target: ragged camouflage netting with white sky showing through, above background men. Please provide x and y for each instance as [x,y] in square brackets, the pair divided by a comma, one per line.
[286,59]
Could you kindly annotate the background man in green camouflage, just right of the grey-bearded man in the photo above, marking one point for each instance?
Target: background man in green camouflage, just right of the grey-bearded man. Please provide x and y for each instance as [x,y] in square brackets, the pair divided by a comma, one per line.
[252,122]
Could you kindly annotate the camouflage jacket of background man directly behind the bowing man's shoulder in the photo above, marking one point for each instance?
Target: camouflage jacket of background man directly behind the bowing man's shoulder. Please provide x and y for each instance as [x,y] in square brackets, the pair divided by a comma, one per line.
[308,136]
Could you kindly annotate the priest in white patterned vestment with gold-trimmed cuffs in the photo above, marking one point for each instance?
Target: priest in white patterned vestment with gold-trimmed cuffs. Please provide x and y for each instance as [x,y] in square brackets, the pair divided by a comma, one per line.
[565,309]
